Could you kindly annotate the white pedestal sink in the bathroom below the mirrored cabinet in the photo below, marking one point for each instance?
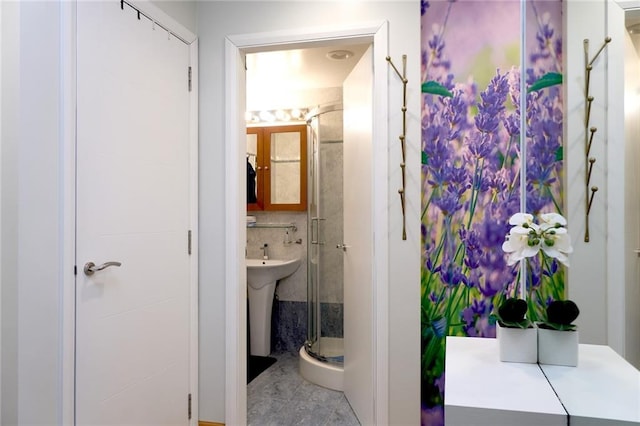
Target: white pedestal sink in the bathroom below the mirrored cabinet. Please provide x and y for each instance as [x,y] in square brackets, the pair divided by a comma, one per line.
[262,276]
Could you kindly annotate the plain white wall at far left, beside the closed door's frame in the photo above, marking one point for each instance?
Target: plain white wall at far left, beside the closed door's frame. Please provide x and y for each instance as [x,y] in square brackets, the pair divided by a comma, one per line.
[31,213]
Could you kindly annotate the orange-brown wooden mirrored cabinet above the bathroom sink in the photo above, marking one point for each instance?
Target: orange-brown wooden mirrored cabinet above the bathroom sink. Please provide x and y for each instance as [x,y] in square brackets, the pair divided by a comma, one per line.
[277,168]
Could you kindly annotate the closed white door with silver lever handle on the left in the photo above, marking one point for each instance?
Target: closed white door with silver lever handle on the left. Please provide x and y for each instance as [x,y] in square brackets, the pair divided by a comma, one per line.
[132,321]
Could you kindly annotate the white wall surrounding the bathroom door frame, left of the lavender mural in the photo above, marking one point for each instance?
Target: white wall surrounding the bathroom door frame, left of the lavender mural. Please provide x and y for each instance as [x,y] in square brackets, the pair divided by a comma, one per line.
[215,21]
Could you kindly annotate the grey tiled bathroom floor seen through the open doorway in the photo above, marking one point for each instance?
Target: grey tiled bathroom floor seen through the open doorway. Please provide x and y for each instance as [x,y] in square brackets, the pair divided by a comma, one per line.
[281,397]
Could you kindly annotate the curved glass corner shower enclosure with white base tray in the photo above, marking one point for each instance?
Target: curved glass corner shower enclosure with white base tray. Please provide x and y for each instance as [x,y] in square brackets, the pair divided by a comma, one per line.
[322,355]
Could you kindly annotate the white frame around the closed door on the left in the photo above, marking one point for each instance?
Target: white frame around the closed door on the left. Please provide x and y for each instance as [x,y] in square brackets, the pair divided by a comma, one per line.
[68,40]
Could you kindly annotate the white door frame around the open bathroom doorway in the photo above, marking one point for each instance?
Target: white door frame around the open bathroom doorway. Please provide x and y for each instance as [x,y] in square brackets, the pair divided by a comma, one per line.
[235,229]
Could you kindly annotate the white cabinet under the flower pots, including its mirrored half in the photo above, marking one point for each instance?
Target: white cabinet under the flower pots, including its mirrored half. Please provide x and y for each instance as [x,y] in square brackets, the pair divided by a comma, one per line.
[603,390]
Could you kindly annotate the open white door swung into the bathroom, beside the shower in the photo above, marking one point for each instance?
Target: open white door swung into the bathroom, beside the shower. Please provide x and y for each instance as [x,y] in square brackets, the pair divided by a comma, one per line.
[358,238]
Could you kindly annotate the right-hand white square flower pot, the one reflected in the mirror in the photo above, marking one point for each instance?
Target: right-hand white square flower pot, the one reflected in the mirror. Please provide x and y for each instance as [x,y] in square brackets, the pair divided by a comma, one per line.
[558,347]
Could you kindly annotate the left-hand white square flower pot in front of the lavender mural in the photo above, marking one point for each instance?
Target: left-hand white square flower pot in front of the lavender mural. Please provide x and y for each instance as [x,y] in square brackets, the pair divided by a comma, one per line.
[517,344]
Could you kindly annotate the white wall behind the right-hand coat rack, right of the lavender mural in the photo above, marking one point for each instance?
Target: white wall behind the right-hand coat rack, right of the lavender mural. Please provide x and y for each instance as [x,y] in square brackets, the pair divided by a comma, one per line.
[587,275]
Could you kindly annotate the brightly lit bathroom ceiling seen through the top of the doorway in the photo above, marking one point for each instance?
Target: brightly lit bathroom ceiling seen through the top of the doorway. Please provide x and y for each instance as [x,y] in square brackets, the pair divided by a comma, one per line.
[271,75]
